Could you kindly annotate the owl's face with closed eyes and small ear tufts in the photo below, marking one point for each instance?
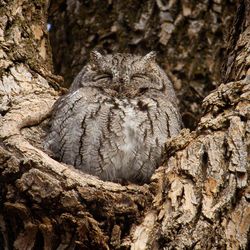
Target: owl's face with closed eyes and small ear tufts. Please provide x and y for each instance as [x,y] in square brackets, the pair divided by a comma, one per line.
[123,74]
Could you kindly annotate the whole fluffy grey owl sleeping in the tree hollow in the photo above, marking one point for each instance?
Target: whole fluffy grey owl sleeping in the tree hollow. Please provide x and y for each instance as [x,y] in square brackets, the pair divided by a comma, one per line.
[116,117]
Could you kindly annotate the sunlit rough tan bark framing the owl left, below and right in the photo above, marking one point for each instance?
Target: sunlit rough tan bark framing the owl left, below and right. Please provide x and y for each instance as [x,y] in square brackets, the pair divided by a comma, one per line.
[198,199]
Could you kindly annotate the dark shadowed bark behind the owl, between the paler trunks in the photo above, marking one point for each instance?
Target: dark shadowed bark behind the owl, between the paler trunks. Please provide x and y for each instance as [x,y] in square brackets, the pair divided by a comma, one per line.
[188,36]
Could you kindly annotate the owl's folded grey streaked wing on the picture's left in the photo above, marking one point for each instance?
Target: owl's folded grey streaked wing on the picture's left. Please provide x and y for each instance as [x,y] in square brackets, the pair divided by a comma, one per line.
[68,123]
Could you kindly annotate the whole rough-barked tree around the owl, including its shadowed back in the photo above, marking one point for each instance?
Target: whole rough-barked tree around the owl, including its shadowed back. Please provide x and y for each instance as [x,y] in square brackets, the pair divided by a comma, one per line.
[199,197]
